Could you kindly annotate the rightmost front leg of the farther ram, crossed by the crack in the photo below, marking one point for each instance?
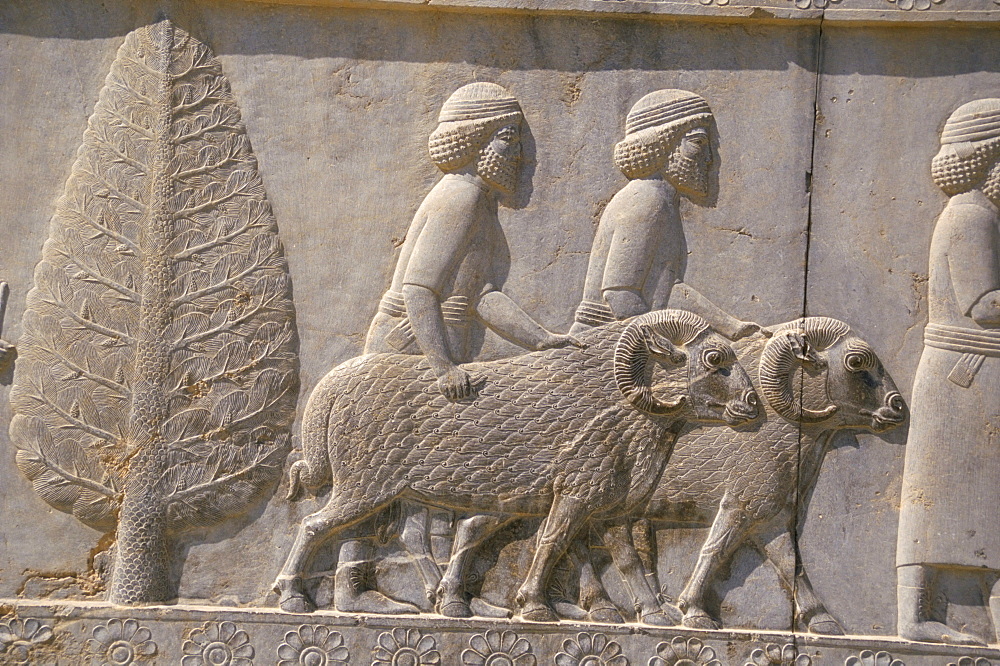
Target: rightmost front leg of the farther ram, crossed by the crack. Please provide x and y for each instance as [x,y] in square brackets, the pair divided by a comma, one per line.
[778,545]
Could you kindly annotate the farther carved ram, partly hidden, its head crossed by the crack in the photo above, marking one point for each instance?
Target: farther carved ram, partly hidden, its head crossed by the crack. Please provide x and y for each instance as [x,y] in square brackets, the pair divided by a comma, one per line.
[817,378]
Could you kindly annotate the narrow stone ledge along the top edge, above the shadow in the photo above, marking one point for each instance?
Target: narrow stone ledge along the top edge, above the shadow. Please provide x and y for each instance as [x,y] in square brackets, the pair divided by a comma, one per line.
[898,13]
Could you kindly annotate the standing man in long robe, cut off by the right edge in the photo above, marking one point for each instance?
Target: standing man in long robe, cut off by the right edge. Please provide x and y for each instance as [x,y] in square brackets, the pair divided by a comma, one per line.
[951,479]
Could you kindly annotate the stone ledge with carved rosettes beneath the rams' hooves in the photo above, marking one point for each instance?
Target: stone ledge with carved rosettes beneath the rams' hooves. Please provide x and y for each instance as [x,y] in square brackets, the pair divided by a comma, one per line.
[257,635]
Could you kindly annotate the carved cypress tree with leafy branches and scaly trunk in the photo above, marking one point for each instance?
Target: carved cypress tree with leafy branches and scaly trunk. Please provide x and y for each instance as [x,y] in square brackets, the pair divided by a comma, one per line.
[158,371]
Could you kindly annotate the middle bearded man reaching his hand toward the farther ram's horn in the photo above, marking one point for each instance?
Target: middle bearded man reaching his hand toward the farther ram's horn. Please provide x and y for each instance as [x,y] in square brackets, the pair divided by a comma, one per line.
[638,256]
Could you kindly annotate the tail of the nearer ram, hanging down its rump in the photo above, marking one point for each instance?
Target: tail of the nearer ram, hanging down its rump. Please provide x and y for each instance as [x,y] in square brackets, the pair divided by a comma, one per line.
[313,471]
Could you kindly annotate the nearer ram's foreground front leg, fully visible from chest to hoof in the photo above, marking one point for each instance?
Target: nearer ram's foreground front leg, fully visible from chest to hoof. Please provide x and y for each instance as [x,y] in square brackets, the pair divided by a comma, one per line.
[565,518]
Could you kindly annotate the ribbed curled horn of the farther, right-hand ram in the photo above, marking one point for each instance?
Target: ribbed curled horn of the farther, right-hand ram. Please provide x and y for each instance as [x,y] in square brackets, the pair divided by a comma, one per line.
[781,354]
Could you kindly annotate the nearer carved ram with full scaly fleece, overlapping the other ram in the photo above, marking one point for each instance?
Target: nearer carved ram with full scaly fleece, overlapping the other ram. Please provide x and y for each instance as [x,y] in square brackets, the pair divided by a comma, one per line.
[569,434]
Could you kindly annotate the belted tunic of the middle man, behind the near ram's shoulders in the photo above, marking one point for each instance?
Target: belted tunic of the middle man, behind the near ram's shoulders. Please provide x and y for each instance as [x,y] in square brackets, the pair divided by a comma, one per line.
[639,246]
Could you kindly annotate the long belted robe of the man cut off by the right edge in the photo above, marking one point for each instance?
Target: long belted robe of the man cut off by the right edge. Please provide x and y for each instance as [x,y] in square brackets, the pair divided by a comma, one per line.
[951,481]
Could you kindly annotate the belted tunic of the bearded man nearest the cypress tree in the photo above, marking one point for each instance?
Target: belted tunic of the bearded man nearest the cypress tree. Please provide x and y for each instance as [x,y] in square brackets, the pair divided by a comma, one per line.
[454,247]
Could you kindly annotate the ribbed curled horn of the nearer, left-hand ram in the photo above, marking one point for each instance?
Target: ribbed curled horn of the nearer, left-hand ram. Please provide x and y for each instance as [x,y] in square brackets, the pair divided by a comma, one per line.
[632,373]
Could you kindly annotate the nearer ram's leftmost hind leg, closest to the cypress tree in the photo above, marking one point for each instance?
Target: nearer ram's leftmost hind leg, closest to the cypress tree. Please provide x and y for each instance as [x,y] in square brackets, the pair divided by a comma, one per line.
[338,514]
